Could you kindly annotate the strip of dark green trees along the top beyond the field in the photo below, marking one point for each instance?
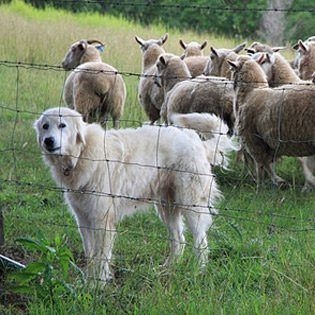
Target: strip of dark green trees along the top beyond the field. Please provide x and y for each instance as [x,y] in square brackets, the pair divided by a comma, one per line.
[274,21]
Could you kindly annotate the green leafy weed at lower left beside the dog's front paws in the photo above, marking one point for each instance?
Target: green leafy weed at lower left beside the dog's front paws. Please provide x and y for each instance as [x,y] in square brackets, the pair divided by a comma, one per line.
[51,275]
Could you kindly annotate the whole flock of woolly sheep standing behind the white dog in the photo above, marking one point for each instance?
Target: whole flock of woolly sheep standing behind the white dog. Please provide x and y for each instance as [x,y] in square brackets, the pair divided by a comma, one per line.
[267,102]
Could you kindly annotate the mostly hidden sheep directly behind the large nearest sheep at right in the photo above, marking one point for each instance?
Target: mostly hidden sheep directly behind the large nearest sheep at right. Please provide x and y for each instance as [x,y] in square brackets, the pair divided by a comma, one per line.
[280,72]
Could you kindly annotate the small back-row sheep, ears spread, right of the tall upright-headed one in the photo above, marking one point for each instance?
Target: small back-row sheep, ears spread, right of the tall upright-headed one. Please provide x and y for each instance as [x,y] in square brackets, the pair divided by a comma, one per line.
[193,57]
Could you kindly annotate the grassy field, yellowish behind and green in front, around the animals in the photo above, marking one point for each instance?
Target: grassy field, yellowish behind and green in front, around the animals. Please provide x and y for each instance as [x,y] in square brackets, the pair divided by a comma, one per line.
[262,258]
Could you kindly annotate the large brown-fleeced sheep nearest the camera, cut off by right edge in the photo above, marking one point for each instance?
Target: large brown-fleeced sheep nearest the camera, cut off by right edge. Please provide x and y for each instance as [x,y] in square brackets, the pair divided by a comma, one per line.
[270,121]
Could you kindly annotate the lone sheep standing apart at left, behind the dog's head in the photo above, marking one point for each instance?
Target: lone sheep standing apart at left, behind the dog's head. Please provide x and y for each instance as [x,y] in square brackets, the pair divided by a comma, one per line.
[93,88]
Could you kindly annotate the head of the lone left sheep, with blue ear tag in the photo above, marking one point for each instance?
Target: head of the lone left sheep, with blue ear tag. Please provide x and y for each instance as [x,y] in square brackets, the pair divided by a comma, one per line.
[81,52]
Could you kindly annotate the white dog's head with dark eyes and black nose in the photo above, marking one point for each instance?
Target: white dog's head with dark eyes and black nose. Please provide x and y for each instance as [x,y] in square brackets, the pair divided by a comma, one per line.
[60,135]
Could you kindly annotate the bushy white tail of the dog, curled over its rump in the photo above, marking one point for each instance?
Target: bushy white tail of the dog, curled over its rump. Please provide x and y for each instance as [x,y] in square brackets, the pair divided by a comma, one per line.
[212,130]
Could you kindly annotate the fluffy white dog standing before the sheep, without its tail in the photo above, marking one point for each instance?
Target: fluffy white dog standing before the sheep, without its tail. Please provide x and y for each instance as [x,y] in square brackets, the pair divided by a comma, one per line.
[109,174]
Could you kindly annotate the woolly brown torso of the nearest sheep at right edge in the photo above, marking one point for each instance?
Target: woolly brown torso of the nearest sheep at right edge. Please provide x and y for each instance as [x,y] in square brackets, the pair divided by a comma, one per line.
[282,118]
